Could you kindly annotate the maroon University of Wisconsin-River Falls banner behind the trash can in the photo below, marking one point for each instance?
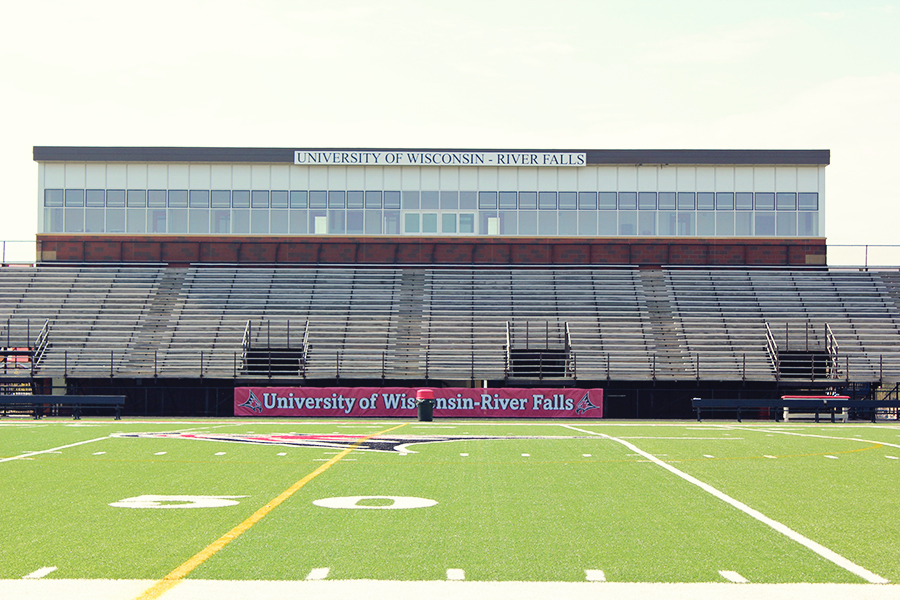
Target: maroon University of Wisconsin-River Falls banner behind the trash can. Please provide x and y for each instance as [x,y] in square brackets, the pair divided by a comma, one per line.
[541,403]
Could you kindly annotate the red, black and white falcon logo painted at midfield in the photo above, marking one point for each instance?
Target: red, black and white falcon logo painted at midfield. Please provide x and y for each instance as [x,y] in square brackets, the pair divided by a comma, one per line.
[337,441]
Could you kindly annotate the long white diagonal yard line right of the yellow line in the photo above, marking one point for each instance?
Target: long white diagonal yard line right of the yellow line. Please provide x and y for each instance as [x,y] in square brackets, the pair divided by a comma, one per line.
[819,549]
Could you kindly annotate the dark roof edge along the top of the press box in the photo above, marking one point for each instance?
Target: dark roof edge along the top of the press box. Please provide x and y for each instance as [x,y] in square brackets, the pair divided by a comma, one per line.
[286,155]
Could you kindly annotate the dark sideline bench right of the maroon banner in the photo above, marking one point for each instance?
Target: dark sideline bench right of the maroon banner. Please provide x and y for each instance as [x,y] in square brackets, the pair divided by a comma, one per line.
[813,404]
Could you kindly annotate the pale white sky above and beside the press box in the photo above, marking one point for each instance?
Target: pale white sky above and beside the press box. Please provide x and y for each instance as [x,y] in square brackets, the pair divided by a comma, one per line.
[757,74]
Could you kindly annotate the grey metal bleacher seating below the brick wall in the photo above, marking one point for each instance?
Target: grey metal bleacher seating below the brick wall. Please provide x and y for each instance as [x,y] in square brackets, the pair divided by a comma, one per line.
[402,323]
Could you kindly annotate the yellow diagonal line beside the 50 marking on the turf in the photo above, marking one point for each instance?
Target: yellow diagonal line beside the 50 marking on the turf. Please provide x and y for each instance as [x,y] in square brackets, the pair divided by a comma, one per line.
[173,578]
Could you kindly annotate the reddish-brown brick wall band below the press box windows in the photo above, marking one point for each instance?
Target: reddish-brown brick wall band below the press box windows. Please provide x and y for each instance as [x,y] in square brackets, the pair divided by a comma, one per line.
[431,251]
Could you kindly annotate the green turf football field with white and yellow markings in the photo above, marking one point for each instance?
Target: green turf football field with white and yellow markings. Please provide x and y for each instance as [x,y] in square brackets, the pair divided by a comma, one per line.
[527,501]
